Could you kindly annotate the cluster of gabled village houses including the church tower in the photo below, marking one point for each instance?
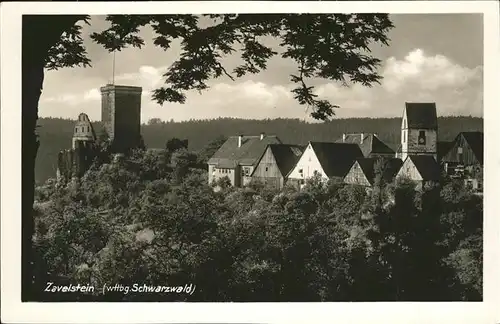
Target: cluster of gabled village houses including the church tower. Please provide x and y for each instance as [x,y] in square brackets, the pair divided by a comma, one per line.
[351,158]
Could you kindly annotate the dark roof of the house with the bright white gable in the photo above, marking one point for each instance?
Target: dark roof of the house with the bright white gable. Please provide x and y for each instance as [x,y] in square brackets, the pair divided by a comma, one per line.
[336,158]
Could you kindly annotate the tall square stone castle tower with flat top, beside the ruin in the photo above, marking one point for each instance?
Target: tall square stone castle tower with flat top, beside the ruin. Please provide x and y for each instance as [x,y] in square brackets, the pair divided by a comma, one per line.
[121,115]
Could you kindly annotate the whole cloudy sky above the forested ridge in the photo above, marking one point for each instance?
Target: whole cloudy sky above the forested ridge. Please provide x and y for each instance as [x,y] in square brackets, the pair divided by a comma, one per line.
[430,58]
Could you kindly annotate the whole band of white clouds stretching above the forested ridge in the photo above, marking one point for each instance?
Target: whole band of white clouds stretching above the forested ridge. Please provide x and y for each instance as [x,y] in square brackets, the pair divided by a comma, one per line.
[417,76]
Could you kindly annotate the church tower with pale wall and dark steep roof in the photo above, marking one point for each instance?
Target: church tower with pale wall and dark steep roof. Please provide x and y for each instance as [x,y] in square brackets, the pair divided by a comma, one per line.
[419,130]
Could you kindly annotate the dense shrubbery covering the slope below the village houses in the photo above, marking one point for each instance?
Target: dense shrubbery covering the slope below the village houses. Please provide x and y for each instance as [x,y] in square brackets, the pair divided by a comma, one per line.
[152,218]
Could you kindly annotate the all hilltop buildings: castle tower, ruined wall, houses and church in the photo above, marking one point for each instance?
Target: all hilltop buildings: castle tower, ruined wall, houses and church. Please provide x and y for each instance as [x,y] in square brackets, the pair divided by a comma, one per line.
[244,159]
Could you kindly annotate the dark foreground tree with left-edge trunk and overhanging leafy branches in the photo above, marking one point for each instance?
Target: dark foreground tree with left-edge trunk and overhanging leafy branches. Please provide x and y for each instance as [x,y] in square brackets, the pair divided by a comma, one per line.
[333,47]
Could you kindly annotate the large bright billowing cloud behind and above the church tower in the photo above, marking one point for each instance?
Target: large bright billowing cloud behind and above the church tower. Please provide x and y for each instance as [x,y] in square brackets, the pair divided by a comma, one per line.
[456,89]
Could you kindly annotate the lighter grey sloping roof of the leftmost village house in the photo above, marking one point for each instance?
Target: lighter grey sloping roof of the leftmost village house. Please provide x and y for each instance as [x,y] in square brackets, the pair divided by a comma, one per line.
[229,154]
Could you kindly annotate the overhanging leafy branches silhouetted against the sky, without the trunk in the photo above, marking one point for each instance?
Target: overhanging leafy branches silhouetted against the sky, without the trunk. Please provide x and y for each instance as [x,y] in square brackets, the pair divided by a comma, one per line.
[335,47]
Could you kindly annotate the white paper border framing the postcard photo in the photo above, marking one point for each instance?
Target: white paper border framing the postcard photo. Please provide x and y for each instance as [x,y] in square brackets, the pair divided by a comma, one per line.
[13,310]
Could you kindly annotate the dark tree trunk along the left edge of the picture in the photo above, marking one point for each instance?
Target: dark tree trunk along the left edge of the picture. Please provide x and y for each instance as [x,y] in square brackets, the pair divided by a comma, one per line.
[39,34]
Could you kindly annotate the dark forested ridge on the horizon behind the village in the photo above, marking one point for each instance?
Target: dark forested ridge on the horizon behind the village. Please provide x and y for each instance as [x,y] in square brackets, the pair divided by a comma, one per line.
[55,134]
